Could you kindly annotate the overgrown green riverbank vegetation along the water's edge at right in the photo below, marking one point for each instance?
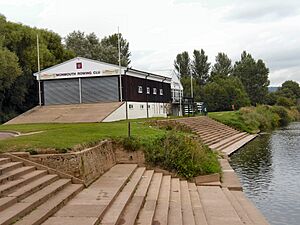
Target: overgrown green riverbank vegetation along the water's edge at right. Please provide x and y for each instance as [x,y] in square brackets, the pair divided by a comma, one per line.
[256,119]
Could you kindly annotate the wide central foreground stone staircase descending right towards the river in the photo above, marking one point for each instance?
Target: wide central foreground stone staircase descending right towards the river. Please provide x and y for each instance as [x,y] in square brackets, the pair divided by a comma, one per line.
[128,194]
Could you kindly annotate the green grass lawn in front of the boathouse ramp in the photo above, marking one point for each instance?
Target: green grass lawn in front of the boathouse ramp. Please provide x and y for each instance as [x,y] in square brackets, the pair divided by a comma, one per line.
[67,136]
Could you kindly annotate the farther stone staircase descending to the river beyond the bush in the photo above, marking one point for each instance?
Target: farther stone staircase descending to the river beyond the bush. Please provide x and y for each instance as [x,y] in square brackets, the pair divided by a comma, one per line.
[217,135]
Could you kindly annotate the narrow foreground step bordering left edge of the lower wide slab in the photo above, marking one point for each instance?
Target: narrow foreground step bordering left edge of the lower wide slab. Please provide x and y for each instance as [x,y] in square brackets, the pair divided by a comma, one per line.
[197,207]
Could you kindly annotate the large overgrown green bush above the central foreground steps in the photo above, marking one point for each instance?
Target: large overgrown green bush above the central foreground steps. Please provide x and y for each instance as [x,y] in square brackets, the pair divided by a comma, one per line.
[183,154]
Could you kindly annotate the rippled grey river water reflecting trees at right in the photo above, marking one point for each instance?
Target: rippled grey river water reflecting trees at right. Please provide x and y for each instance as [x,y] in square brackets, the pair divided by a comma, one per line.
[269,169]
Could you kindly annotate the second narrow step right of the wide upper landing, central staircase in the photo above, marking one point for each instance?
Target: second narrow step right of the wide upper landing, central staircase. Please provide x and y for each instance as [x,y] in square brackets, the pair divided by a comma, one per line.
[132,209]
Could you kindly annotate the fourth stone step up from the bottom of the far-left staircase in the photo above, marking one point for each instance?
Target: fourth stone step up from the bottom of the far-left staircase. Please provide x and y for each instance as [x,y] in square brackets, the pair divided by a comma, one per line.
[21,181]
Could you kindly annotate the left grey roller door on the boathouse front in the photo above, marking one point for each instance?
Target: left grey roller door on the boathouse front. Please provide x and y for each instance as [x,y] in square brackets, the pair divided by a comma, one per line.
[61,92]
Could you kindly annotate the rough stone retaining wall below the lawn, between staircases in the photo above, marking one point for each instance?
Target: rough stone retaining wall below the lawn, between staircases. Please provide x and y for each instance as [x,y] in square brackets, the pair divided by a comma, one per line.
[91,163]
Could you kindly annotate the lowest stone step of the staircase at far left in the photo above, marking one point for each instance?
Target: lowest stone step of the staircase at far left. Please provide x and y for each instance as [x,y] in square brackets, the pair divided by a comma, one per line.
[48,208]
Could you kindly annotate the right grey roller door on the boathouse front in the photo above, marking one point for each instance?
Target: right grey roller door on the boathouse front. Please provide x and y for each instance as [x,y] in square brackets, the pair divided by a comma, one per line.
[99,89]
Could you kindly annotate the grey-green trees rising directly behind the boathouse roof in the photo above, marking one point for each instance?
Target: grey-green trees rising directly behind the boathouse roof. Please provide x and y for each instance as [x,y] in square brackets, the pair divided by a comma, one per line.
[106,50]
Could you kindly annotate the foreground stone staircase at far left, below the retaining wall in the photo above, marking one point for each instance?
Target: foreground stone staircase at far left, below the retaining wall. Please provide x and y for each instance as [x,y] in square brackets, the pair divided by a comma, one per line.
[29,195]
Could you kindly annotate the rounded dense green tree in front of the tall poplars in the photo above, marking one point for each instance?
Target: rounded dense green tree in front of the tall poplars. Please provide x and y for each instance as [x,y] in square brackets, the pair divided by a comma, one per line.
[225,93]
